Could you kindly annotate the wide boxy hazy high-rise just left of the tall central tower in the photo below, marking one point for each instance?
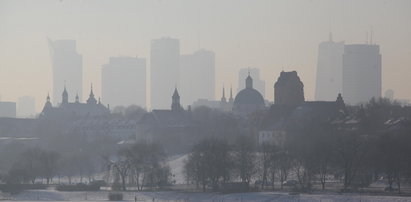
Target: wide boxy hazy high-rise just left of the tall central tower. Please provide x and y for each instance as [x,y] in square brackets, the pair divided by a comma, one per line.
[124,81]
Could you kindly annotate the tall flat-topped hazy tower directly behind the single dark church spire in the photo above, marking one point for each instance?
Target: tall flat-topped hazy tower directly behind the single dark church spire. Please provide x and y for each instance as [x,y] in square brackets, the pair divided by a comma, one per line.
[164,63]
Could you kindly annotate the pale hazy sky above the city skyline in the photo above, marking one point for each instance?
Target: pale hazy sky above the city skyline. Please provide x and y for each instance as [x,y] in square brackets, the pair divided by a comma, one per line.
[272,35]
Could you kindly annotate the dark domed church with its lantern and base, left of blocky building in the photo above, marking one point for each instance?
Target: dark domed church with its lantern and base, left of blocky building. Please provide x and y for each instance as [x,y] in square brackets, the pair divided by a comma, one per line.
[248,100]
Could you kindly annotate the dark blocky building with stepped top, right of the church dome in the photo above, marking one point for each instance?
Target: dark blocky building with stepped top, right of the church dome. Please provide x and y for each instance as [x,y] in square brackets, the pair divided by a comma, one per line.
[289,90]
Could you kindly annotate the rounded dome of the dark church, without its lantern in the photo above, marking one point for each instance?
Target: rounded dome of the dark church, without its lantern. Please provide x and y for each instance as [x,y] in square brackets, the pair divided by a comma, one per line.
[249,96]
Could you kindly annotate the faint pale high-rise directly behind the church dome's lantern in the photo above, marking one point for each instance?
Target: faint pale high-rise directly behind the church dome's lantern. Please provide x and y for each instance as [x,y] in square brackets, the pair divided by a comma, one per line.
[259,84]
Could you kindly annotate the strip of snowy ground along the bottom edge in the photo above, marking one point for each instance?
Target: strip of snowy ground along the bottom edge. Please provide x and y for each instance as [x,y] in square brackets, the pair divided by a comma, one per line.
[51,195]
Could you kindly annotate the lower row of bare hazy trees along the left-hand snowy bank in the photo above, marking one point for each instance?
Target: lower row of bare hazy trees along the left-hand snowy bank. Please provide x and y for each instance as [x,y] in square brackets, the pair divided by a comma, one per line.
[141,165]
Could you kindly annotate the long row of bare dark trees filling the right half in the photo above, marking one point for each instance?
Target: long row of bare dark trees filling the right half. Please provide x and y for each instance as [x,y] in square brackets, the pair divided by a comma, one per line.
[320,153]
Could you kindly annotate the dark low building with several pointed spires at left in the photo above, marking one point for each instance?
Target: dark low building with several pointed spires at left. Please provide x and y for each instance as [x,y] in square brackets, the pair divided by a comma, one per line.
[74,110]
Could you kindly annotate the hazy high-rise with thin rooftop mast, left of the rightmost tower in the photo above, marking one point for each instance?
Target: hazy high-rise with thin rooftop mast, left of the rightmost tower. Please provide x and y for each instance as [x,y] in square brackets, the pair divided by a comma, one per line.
[329,70]
